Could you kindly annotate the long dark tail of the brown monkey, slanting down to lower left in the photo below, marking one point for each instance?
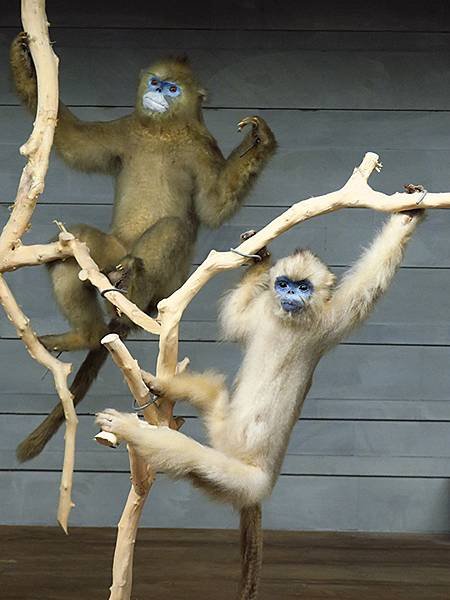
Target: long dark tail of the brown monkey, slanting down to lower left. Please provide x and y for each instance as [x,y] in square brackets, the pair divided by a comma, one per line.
[33,445]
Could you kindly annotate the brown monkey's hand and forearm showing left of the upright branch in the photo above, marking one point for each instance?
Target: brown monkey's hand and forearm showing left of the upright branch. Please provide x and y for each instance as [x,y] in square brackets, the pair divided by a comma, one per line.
[23,71]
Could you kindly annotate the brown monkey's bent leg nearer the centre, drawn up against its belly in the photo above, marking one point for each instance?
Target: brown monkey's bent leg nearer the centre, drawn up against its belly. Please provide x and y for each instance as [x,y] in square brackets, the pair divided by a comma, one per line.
[159,262]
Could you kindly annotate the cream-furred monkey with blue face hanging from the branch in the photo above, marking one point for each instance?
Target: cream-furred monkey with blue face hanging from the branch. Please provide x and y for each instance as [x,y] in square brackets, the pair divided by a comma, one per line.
[287,316]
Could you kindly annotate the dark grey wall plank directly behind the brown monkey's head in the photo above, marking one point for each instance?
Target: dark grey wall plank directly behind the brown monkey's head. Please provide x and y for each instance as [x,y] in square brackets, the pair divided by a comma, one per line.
[308,70]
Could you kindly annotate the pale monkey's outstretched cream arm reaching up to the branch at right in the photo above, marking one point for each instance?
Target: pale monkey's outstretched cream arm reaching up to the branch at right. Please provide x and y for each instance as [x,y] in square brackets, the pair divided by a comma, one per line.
[370,277]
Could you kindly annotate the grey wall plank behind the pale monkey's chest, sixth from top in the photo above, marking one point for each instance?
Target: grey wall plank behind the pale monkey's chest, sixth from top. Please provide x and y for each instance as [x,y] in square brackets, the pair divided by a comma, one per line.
[349,373]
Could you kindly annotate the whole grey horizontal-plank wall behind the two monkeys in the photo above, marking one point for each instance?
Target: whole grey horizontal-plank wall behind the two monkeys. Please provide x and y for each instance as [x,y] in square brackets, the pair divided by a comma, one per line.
[371,450]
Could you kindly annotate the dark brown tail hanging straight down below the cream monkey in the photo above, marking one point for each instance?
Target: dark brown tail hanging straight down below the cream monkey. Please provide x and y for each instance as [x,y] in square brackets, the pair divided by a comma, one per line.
[251,551]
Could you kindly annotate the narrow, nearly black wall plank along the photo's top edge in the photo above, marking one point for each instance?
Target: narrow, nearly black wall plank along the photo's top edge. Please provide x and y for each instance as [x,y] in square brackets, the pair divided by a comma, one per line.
[398,15]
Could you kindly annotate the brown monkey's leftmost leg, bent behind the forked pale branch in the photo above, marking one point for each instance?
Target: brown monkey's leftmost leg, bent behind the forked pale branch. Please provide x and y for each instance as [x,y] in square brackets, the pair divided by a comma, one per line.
[78,301]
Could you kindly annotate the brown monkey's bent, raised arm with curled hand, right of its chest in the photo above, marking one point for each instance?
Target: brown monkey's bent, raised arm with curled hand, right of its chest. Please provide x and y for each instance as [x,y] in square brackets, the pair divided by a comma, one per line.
[222,184]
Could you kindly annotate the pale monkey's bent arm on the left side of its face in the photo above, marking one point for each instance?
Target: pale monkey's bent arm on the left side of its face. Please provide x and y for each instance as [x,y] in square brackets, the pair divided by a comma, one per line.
[236,311]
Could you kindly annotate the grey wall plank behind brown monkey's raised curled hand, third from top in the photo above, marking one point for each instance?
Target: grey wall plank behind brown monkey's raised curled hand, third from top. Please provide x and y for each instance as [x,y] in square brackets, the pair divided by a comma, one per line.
[317,153]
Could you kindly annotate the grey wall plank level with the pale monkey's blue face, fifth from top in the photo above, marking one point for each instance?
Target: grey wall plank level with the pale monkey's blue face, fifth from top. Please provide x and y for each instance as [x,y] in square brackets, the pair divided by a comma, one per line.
[398,319]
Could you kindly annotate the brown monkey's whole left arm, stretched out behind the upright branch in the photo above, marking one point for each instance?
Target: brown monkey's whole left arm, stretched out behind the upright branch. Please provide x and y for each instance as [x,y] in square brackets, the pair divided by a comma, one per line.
[90,147]
